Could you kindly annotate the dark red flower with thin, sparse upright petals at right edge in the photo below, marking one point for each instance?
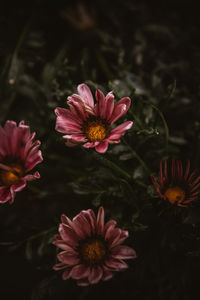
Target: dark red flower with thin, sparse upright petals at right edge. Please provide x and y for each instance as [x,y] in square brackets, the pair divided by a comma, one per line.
[176,186]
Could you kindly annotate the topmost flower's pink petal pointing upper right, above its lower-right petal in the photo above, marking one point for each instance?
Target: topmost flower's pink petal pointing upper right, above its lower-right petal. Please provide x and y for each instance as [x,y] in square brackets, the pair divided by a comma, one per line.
[120,109]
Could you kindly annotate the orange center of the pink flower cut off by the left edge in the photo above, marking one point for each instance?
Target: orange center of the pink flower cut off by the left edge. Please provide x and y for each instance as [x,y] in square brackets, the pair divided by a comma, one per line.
[12,176]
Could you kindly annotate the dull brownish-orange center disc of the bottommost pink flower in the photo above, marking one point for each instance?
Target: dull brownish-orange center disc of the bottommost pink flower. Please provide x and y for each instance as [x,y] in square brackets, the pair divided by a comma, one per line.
[93,252]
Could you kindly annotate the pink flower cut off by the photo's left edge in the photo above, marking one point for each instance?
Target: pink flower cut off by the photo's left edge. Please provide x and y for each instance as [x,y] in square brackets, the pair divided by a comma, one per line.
[18,155]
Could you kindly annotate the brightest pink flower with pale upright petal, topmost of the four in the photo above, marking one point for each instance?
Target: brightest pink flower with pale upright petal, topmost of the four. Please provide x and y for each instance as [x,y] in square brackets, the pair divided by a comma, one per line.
[90,124]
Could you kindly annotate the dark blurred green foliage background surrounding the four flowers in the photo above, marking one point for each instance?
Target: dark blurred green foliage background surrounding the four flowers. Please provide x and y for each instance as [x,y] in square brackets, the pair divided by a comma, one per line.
[147,50]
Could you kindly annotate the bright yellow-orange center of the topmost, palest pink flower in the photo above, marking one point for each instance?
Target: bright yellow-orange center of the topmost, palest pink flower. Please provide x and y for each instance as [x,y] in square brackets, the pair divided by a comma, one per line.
[95,131]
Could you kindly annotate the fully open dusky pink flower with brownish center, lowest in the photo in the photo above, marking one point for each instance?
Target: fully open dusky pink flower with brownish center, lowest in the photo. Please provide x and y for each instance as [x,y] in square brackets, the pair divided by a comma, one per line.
[92,250]
